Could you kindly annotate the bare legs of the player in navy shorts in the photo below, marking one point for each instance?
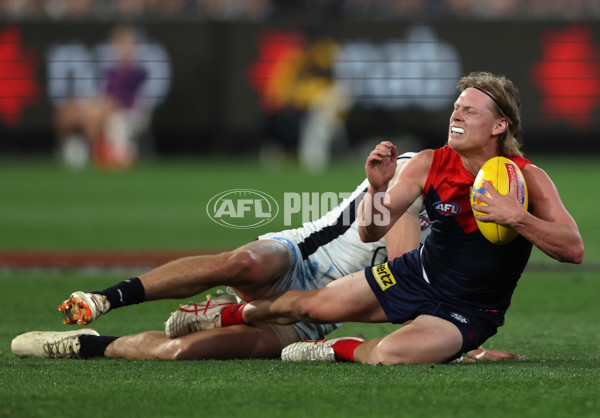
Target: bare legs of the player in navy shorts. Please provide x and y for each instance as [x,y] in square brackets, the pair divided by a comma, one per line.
[425,339]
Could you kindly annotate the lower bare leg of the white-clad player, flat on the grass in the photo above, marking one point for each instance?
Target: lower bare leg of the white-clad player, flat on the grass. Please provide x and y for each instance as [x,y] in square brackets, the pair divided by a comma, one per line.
[240,341]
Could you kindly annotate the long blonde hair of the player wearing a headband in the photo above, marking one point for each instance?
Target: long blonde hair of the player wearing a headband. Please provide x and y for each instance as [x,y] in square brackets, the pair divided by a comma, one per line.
[506,105]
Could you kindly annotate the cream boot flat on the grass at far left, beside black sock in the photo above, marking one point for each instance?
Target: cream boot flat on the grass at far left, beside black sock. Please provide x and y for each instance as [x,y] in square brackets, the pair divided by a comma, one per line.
[49,344]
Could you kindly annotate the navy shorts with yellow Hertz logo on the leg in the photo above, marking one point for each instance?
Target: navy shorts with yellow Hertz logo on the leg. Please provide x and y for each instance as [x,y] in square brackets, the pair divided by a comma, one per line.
[404,294]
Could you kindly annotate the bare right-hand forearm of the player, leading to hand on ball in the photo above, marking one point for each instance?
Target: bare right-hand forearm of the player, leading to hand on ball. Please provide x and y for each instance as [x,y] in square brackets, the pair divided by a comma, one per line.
[559,241]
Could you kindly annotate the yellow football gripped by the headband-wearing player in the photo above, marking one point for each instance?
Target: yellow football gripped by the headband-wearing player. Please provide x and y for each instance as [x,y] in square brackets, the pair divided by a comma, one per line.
[499,172]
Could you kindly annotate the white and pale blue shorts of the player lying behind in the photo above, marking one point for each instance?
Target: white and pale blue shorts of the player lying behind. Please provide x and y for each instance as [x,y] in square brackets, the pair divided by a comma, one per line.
[303,275]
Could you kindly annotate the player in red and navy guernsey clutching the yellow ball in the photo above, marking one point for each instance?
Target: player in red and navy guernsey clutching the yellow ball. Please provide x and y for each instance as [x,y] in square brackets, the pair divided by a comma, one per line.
[453,293]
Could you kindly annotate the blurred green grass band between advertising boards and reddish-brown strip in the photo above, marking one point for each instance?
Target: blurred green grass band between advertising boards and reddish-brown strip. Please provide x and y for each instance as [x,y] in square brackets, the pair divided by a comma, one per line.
[162,204]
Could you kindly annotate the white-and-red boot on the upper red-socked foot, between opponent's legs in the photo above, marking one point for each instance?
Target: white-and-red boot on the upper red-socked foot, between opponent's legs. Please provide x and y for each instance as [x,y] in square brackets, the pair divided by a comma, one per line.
[193,317]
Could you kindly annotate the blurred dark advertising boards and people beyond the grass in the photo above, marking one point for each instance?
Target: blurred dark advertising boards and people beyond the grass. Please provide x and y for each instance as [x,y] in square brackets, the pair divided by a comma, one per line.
[264,77]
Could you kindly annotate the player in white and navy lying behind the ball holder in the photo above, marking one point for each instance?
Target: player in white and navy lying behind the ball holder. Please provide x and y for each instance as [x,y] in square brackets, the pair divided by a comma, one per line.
[293,259]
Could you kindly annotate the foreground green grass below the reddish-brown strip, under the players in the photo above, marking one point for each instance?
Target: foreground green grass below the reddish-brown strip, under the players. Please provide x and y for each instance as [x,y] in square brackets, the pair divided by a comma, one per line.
[553,321]
